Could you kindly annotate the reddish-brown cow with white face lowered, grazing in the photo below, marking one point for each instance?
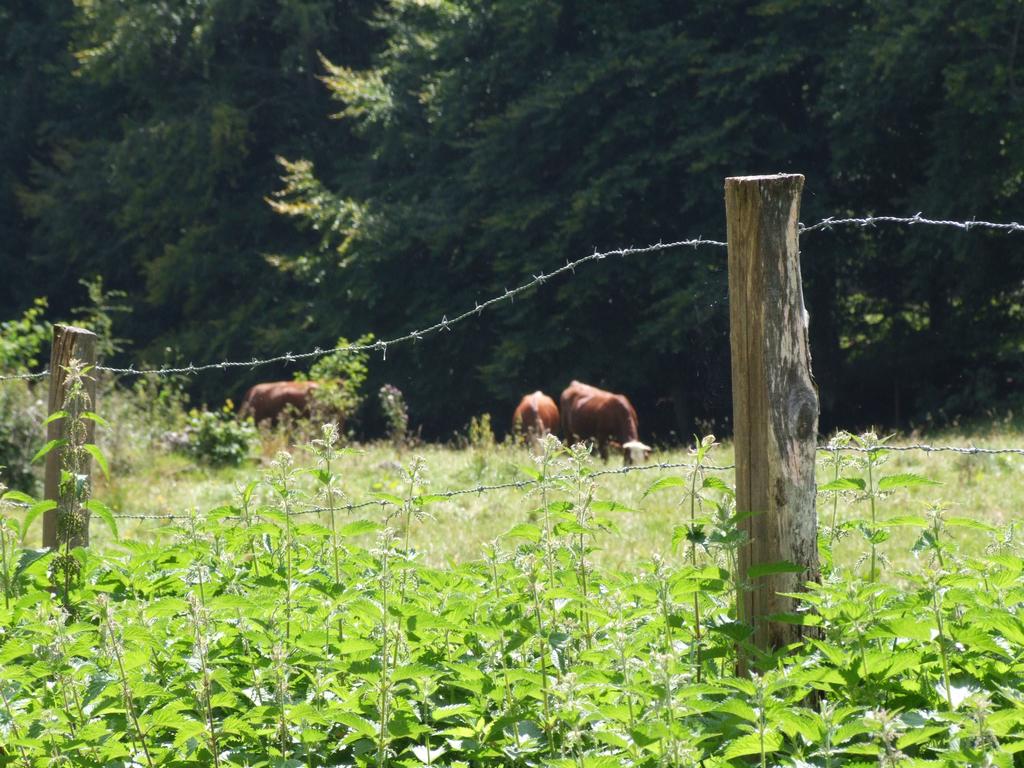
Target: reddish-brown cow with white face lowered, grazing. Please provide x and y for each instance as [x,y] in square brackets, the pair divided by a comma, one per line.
[589,413]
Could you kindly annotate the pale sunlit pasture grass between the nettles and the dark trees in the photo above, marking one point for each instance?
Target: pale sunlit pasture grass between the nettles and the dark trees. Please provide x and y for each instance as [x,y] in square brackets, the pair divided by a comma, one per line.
[158,483]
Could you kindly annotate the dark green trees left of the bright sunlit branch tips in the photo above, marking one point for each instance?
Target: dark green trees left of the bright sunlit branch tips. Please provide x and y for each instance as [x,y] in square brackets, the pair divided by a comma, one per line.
[142,147]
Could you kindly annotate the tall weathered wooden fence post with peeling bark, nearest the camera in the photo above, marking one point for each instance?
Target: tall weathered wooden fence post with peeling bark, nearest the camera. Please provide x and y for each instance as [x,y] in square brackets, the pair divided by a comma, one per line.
[775,402]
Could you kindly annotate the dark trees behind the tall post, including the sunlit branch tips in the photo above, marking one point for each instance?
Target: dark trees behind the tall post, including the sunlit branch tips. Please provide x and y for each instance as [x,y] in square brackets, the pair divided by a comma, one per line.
[501,140]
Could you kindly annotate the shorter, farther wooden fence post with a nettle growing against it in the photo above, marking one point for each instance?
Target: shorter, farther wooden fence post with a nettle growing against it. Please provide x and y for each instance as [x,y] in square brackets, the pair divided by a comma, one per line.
[69,344]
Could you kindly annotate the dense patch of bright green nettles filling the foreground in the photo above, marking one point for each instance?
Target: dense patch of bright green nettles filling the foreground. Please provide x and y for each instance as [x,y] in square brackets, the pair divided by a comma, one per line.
[292,629]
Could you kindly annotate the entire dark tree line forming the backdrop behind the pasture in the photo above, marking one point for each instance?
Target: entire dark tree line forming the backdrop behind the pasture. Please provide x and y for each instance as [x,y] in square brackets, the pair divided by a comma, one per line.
[482,143]
